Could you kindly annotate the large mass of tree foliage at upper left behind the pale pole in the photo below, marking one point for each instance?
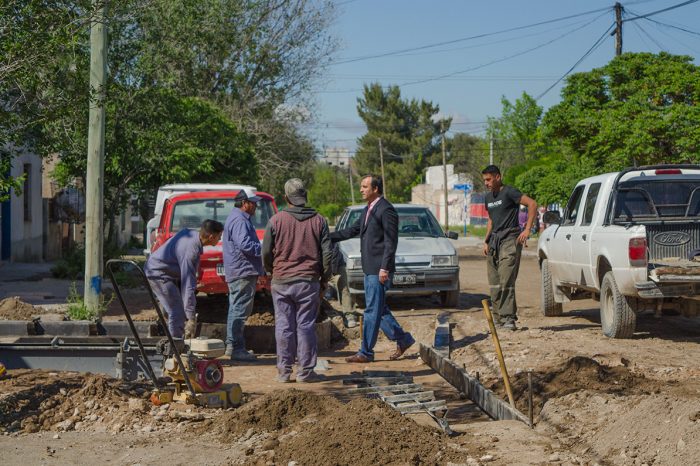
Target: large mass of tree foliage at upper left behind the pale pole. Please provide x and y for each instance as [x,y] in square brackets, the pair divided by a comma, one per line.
[196,91]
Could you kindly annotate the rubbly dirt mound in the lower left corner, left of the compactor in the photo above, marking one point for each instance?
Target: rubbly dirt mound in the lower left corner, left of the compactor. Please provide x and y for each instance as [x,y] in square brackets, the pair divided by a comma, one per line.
[33,401]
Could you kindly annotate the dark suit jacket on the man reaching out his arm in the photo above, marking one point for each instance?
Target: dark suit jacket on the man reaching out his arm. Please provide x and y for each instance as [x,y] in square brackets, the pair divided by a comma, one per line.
[379,237]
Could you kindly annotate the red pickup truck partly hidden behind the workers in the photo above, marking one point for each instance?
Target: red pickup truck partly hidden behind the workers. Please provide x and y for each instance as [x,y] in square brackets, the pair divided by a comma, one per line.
[190,210]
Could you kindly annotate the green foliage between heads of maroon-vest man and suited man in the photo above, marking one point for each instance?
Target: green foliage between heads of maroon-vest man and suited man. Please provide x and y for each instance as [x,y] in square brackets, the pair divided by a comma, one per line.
[329,191]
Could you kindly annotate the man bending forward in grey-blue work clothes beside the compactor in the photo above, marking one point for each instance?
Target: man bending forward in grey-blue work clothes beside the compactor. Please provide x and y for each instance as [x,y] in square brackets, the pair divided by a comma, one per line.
[172,274]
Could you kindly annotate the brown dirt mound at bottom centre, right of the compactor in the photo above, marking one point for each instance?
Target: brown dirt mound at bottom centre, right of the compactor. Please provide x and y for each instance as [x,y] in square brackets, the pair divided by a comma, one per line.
[299,426]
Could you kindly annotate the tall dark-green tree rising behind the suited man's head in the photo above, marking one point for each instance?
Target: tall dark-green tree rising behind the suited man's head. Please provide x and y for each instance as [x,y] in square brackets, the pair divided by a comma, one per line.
[409,133]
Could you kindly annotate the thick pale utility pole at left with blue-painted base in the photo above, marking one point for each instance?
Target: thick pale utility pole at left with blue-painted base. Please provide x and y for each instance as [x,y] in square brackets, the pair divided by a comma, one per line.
[95,160]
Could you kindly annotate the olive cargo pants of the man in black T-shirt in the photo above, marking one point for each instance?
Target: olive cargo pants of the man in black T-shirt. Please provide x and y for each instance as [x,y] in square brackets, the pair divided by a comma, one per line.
[502,266]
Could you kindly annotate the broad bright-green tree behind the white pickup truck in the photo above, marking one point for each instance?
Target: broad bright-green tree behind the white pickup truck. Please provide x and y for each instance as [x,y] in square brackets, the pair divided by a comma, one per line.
[640,108]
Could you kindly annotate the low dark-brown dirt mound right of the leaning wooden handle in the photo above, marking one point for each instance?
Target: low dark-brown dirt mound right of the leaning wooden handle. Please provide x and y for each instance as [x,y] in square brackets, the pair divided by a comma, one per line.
[576,374]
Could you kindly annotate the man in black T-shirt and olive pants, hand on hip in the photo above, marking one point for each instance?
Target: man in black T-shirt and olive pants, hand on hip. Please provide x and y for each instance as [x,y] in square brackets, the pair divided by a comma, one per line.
[504,243]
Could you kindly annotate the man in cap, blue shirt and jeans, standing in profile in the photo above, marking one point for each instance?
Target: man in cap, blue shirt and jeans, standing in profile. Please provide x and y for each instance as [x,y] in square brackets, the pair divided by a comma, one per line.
[242,266]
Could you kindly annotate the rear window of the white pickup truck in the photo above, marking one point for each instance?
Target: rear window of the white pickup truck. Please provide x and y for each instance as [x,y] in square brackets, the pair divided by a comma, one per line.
[647,199]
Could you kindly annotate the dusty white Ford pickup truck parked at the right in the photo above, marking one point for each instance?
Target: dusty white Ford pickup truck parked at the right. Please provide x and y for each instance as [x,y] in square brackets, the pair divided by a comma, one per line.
[630,239]
